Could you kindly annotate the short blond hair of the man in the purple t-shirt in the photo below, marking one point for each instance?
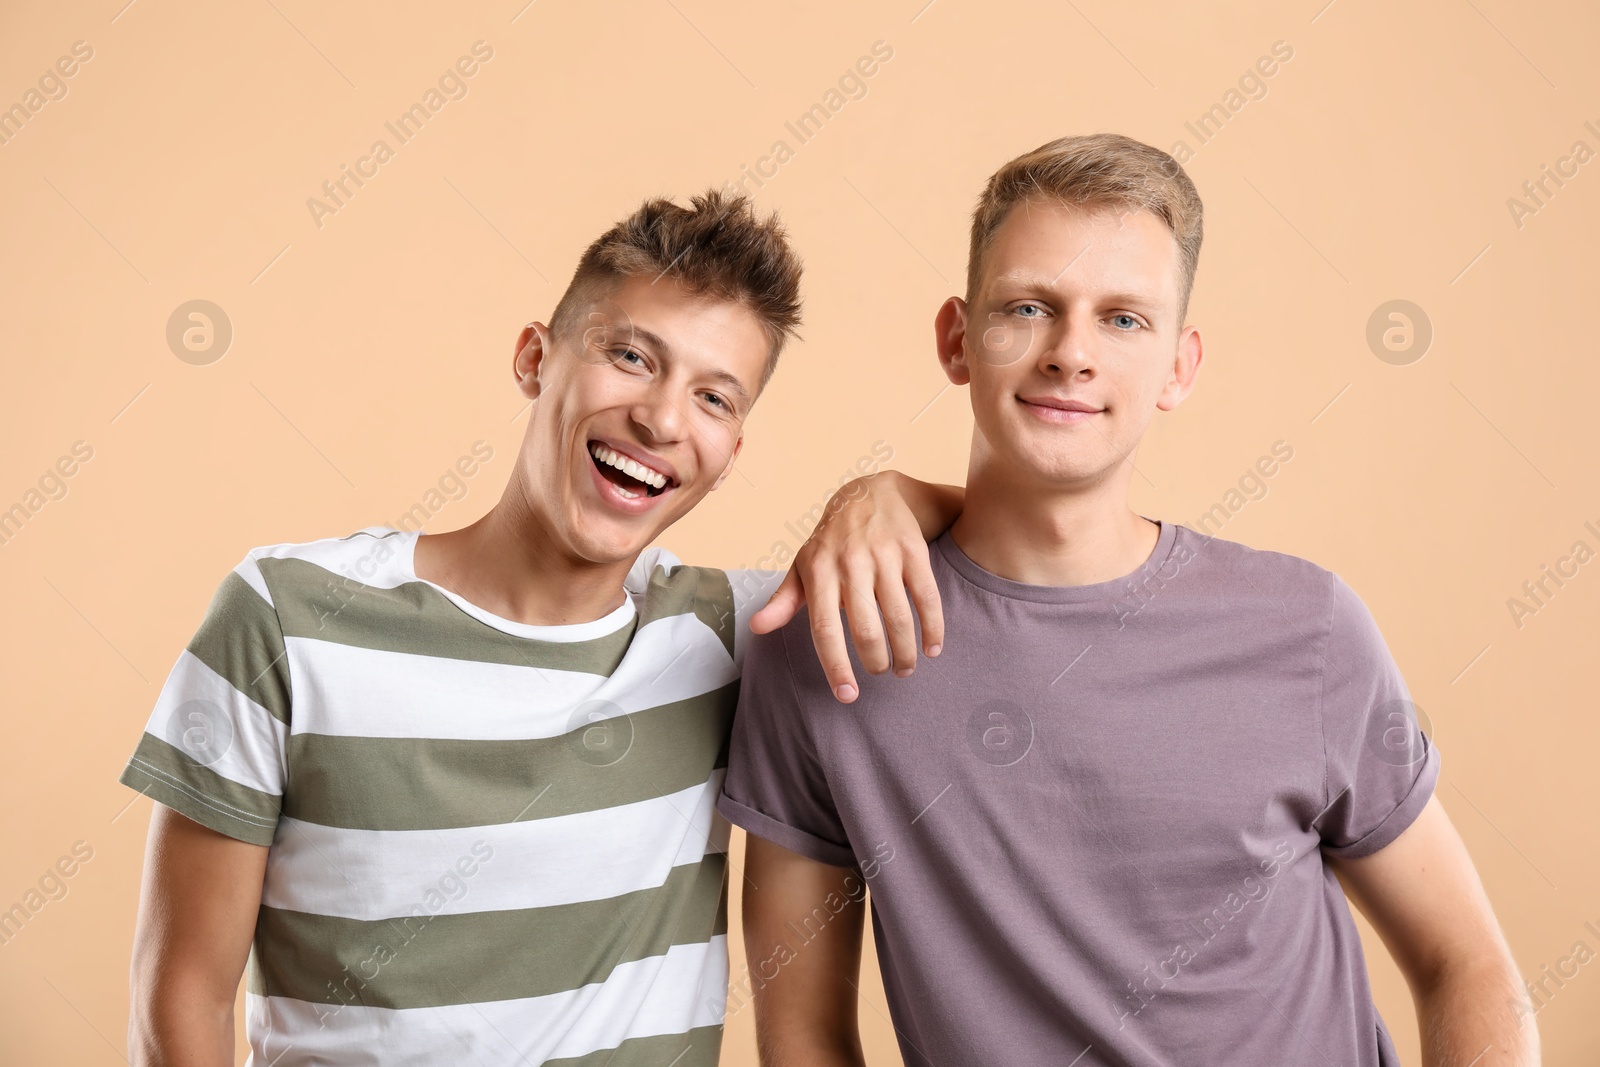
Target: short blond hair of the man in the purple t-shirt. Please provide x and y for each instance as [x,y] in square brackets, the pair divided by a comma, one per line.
[1095,172]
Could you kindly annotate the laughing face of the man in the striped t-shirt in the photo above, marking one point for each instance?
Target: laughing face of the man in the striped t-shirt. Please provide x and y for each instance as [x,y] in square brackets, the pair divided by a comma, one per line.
[638,415]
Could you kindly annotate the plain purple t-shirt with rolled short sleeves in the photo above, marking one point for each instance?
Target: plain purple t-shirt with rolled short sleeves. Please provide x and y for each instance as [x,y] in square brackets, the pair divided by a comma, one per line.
[1095,826]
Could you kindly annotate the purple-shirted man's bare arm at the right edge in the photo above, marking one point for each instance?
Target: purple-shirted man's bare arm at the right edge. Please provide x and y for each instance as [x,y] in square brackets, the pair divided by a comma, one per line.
[1423,897]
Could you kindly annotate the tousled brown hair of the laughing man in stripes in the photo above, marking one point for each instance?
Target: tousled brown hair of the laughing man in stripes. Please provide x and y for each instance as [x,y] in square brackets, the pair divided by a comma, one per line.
[718,247]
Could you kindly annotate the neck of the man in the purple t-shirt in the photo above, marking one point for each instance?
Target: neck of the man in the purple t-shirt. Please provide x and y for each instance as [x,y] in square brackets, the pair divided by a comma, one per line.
[1044,535]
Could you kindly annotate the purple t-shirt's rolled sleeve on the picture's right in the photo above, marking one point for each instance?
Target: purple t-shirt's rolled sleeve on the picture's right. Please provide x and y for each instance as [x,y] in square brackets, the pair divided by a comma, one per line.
[1382,769]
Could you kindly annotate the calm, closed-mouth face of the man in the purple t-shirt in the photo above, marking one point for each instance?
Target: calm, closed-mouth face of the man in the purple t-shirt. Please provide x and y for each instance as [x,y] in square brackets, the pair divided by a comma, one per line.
[1071,345]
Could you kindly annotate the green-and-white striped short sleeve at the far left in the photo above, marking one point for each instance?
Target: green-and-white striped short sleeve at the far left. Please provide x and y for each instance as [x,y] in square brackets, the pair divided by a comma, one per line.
[215,745]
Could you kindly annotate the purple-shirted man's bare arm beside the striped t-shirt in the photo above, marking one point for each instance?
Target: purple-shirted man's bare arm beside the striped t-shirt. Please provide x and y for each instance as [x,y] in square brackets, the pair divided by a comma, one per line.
[806,1007]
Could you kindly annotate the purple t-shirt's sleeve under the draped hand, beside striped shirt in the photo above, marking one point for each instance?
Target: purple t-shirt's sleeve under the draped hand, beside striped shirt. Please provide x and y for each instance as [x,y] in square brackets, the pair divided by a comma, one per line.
[775,786]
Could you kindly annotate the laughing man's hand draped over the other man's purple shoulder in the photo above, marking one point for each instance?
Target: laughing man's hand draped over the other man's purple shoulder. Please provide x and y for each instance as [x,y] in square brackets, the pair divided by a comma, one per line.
[870,549]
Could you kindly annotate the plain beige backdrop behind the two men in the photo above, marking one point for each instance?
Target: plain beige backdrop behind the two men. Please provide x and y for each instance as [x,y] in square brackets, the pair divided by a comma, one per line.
[372,351]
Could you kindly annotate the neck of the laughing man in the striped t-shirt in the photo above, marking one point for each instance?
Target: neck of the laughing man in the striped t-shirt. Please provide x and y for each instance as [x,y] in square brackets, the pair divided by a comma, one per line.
[511,564]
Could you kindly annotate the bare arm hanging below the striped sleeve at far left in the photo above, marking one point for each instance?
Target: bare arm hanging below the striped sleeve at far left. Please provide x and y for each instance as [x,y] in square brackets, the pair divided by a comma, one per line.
[198,916]
